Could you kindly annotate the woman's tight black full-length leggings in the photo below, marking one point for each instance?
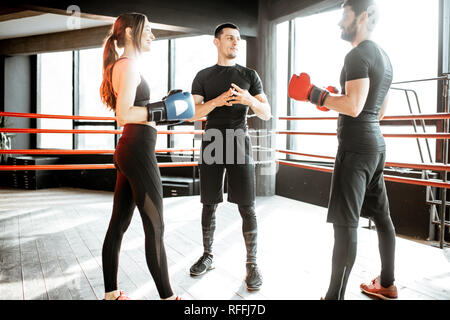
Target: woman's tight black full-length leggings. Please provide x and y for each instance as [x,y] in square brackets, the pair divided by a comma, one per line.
[138,184]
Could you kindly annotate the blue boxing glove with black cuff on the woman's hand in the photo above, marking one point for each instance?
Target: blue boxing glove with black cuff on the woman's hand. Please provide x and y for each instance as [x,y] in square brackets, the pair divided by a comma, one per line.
[176,106]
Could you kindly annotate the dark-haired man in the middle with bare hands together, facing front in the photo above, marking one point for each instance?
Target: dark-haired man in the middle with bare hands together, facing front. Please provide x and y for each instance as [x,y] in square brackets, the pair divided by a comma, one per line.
[223,93]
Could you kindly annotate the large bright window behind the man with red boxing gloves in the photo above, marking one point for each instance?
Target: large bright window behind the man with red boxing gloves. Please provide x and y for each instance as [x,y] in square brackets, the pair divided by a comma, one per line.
[317,48]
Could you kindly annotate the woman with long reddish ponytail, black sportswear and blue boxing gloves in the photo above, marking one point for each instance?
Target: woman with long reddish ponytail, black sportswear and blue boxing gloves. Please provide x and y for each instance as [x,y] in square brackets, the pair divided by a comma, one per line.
[138,183]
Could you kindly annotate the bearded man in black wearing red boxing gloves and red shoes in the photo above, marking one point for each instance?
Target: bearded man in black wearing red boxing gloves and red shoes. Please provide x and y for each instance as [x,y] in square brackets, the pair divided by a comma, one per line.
[357,185]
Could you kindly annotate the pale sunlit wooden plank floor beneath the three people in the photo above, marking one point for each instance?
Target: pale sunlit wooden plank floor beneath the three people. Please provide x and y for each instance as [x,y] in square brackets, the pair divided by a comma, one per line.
[51,240]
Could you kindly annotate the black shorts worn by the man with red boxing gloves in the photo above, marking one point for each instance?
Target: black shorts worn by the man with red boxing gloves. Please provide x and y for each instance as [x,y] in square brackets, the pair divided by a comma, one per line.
[357,187]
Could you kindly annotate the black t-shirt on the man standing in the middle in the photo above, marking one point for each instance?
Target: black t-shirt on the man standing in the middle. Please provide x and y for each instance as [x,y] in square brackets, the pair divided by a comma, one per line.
[213,81]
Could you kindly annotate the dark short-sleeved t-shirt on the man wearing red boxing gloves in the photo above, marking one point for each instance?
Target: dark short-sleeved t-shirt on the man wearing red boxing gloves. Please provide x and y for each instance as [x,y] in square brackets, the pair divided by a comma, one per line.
[363,134]
